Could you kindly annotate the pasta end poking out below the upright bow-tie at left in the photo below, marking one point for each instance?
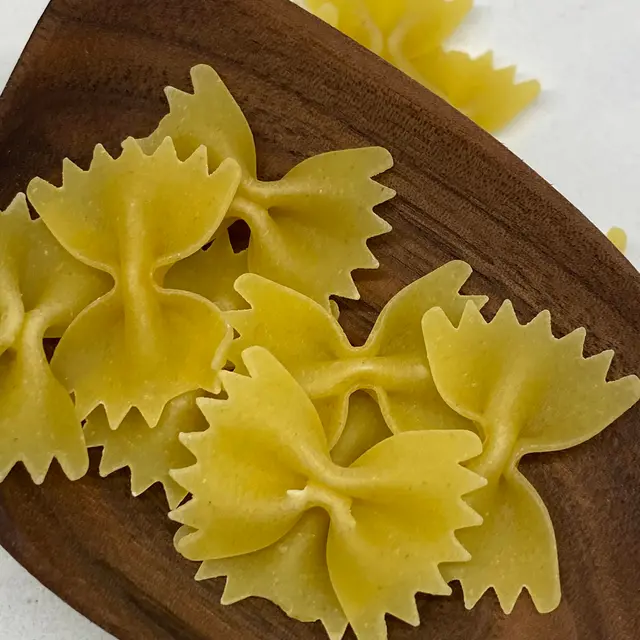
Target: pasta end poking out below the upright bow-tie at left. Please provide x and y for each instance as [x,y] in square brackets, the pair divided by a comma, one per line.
[148,453]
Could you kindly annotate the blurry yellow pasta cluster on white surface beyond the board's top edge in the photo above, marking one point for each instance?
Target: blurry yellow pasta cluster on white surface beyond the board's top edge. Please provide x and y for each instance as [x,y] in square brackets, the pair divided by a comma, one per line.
[409,34]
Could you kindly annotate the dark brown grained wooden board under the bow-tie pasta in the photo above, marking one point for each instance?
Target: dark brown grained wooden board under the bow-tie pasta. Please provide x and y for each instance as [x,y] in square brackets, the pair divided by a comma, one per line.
[94,72]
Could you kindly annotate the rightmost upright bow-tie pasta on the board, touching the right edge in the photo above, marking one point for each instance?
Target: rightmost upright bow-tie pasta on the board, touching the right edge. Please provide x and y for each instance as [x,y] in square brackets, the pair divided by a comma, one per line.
[527,392]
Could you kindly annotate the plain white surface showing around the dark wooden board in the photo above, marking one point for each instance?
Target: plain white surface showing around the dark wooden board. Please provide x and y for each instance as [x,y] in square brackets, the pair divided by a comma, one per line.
[583,136]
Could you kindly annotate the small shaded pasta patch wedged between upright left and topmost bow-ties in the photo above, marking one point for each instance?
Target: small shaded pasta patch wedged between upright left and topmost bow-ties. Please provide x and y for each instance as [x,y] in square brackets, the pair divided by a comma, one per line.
[211,273]
